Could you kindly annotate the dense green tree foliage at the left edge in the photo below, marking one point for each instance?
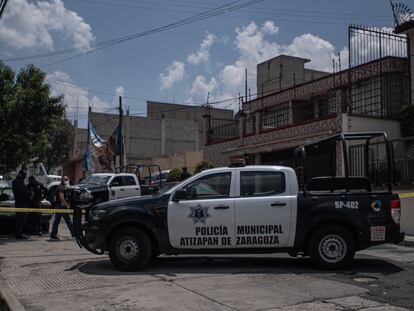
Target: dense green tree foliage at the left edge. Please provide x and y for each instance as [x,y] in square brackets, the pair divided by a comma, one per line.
[29,116]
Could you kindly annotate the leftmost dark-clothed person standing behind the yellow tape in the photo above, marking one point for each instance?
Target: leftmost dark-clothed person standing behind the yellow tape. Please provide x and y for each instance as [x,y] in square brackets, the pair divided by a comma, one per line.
[21,200]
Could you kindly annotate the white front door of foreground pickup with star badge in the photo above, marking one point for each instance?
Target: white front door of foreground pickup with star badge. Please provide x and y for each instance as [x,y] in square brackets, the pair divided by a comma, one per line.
[205,219]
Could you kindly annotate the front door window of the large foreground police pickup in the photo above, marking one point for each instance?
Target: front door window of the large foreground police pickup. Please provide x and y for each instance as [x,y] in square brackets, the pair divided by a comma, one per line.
[211,186]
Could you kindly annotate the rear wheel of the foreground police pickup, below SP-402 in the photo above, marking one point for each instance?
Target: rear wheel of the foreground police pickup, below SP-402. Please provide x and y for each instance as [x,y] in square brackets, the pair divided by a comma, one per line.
[331,247]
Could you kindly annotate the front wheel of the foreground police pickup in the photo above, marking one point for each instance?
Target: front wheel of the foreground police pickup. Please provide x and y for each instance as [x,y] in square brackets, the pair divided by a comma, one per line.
[130,249]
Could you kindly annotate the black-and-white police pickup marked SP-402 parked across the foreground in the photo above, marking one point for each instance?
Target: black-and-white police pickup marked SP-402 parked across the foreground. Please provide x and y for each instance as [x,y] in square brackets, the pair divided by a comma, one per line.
[248,209]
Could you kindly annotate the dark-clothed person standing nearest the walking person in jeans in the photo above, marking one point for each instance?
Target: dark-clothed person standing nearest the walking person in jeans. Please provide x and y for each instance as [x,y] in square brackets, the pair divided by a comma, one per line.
[37,191]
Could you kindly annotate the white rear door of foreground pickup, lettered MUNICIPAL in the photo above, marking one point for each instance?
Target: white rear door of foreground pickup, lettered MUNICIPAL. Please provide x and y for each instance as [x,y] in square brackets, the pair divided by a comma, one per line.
[263,210]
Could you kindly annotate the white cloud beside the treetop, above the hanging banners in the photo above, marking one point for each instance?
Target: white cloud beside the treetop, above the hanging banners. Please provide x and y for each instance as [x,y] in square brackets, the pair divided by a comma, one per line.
[76,98]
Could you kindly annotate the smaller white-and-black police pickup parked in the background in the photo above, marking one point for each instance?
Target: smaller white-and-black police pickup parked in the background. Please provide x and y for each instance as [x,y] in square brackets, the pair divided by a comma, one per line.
[103,187]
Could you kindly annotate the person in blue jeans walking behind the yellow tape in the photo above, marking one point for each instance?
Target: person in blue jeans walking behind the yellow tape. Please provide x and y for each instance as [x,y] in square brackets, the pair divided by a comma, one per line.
[61,202]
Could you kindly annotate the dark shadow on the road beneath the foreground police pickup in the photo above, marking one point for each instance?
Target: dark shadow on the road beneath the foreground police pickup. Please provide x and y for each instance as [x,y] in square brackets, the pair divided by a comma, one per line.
[235,265]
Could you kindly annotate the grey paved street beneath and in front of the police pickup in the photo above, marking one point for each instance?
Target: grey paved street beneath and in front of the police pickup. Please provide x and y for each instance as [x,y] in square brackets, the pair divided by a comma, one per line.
[41,275]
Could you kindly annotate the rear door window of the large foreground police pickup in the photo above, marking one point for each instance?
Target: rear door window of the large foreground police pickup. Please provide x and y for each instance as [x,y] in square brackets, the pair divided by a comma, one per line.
[257,184]
